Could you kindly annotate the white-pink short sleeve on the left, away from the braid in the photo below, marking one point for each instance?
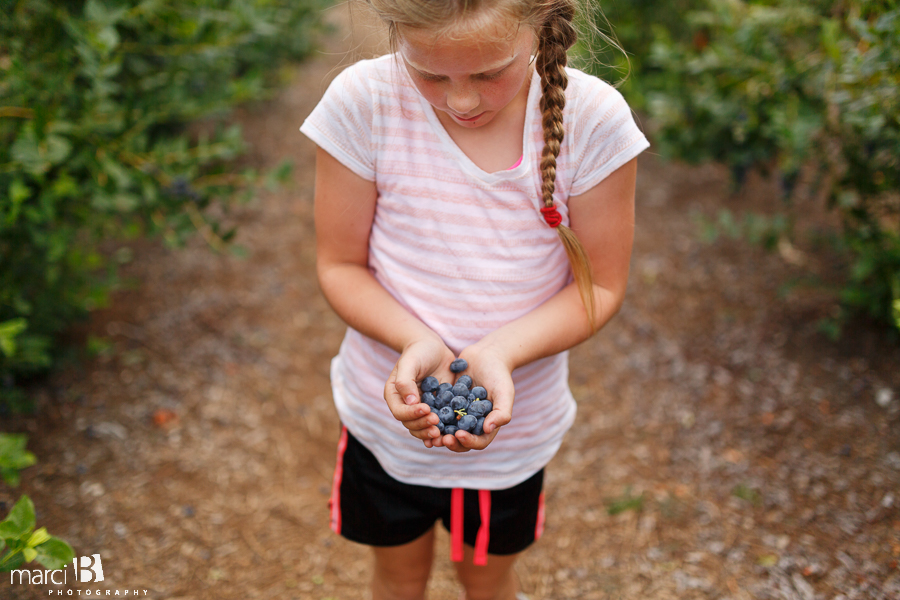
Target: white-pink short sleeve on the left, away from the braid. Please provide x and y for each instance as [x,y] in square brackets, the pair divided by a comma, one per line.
[341,124]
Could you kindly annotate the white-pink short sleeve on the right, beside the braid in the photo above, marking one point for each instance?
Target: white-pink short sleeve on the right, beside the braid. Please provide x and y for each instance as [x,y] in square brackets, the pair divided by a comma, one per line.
[605,135]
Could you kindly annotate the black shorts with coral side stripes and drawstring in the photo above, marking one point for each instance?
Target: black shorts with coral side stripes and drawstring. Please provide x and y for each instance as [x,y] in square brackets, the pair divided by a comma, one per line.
[371,507]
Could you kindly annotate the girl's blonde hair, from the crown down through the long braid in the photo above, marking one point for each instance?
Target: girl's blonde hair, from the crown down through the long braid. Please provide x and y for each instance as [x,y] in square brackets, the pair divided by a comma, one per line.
[554,27]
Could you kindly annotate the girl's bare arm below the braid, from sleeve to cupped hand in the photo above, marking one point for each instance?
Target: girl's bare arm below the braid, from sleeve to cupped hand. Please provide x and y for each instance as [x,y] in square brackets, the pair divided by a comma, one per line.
[603,220]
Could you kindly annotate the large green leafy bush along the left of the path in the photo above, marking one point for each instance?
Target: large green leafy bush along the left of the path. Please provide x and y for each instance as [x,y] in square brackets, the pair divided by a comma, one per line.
[94,99]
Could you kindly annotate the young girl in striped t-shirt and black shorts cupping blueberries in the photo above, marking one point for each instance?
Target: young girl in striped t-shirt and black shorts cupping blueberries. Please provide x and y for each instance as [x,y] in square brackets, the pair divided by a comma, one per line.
[474,199]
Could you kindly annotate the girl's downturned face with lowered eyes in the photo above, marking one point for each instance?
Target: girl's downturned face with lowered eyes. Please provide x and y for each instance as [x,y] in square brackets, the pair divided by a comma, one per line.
[471,79]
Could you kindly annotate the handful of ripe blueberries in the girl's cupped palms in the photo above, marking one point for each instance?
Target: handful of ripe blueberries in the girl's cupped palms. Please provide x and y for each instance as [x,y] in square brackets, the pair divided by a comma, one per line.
[459,405]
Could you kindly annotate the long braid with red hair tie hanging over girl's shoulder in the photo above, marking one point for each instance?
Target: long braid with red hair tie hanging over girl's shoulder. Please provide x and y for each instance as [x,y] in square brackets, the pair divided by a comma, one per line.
[556,36]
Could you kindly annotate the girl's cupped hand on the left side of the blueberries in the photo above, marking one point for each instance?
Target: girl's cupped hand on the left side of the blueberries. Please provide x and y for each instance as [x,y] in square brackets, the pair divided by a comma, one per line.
[421,358]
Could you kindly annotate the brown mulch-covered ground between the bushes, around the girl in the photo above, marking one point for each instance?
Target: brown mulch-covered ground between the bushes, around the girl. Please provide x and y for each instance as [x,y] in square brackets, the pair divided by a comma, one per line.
[724,448]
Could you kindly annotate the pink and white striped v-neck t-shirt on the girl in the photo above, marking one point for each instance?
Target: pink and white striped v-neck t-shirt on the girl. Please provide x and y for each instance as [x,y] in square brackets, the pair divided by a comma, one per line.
[463,250]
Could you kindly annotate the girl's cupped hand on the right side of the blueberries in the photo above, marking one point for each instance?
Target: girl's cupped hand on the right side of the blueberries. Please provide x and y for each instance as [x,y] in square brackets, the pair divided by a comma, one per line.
[491,370]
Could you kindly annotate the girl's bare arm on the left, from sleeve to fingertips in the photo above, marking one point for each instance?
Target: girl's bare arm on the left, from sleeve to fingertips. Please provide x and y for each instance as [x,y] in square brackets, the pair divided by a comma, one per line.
[344,210]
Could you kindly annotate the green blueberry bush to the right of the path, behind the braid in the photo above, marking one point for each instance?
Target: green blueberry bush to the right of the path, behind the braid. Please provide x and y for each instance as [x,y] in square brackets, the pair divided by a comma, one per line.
[776,86]
